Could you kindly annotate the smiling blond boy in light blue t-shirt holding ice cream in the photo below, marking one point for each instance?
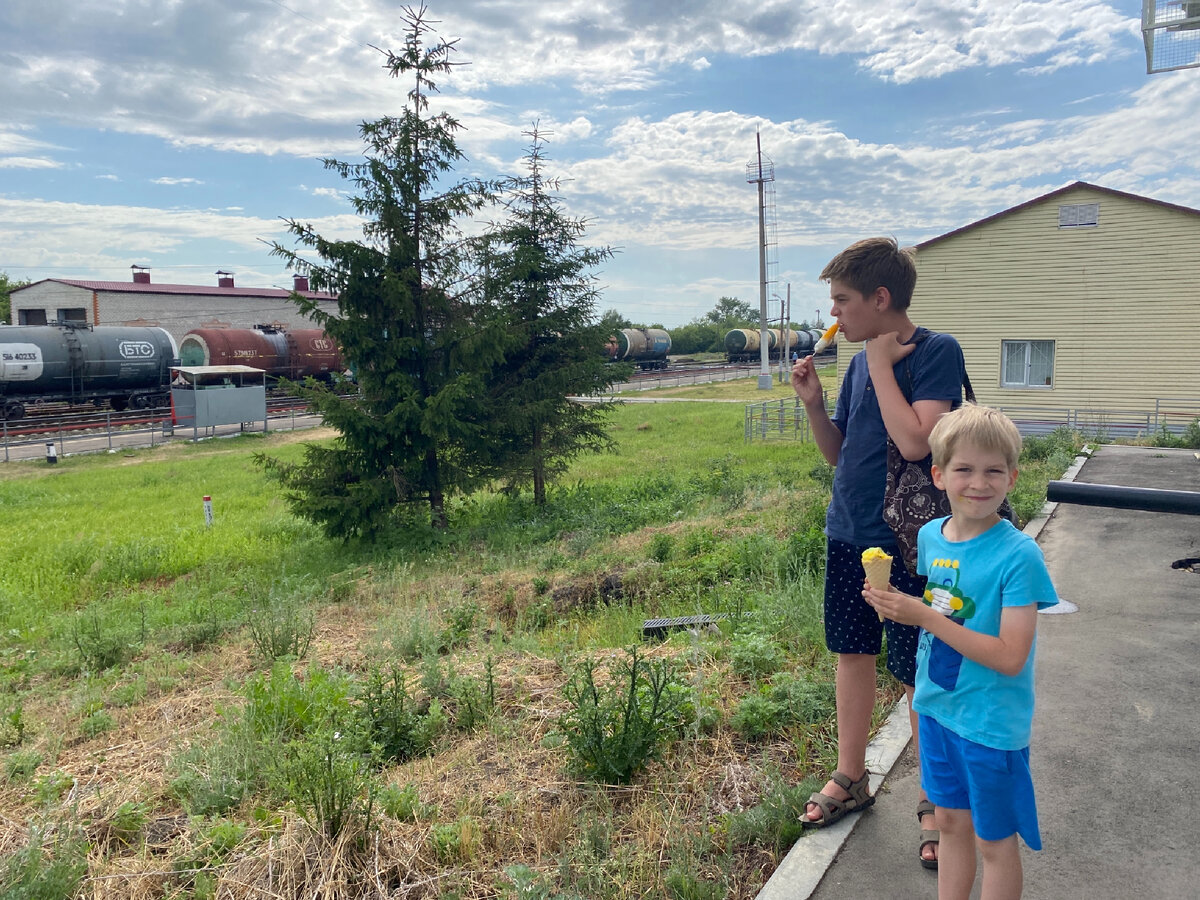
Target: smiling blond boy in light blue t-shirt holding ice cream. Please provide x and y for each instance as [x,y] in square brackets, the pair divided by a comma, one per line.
[975,664]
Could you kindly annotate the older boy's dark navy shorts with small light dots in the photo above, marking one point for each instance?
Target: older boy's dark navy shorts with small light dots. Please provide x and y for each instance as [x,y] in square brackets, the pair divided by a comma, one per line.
[853,626]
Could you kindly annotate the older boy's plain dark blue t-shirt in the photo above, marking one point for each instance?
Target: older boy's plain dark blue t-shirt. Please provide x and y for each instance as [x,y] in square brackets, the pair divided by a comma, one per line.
[856,512]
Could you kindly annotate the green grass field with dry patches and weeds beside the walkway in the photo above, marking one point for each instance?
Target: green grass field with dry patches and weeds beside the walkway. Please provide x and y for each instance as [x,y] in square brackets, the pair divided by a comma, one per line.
[248,710]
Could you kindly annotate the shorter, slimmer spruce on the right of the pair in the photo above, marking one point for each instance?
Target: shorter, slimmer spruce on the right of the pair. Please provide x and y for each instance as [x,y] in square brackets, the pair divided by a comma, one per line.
[539,281]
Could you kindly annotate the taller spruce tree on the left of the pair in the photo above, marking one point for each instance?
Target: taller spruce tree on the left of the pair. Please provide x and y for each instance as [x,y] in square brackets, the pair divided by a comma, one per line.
[412,338]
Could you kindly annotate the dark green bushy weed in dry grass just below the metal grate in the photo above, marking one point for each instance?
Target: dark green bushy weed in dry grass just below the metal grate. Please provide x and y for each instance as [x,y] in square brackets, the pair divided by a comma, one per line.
[615,731]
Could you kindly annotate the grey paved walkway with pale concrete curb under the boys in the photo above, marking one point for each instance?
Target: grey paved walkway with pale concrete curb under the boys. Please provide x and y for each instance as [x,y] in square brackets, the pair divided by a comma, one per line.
[1117,736]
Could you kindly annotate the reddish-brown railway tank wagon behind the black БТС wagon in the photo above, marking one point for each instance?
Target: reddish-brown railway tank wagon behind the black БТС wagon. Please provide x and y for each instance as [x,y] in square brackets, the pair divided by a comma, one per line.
[297,355]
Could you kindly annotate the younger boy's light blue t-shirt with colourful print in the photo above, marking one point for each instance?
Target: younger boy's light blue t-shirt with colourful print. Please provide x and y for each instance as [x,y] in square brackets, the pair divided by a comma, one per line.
[973,581]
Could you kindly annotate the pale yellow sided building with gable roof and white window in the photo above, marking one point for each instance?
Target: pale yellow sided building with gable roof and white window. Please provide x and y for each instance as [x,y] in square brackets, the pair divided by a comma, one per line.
[1081,307]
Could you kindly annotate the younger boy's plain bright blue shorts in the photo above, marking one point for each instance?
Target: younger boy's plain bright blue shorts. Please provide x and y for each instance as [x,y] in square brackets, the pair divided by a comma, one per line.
[995,785]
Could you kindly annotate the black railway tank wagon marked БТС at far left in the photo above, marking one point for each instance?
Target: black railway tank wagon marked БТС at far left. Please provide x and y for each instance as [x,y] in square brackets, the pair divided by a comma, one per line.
[124,367]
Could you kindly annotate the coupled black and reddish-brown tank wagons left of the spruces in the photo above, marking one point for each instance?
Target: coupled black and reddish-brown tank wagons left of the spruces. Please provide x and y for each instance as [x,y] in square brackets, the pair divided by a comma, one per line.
[130,367]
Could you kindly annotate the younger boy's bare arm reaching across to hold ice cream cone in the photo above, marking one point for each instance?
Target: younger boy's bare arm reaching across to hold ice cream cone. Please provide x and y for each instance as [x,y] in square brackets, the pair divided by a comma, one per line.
[1005,653]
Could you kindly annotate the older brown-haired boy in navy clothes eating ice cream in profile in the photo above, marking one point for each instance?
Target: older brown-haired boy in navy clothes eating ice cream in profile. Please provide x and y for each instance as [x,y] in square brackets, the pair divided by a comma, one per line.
[896,386]
